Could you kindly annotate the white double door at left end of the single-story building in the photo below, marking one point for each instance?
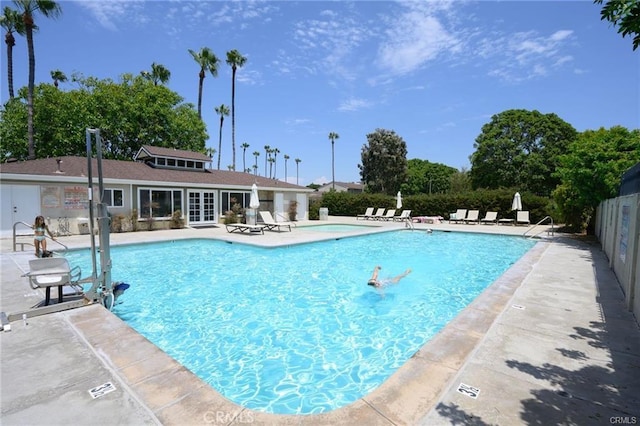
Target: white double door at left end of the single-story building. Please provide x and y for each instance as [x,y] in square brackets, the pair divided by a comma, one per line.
[20,203]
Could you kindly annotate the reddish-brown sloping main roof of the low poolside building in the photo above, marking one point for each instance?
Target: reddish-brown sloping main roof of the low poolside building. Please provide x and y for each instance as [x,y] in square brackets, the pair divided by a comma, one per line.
[132,172]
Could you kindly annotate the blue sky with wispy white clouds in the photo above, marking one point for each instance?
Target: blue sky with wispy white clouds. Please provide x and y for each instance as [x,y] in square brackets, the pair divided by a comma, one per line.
[434,72]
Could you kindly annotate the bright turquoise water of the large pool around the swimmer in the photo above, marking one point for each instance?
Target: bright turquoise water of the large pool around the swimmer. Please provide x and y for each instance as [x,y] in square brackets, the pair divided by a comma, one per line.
[296,330]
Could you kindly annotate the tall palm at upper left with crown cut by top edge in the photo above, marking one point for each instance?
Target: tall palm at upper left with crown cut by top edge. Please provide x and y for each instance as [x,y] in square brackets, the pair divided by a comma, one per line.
[27,8]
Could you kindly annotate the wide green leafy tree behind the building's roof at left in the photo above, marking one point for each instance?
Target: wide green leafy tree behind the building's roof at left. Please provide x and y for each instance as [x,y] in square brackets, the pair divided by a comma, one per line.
[130,113]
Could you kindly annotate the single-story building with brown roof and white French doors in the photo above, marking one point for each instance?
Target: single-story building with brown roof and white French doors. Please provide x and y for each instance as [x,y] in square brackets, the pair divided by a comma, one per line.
[159,183]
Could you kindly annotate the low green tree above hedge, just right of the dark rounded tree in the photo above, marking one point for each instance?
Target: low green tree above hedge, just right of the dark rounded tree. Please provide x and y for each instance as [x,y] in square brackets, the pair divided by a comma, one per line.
[424,177]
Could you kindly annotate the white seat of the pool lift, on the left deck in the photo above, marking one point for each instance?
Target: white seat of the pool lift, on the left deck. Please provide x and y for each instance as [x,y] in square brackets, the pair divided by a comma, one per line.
[53,272]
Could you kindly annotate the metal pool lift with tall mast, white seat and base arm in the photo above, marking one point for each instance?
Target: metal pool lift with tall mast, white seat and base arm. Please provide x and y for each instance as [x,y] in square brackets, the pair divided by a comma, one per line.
[102,290]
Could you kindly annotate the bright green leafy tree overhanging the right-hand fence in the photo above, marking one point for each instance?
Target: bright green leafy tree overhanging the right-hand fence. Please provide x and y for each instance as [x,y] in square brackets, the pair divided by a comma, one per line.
[591,169]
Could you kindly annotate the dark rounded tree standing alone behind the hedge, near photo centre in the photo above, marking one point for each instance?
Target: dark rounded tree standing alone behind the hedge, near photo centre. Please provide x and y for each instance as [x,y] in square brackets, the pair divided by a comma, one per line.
[384,162]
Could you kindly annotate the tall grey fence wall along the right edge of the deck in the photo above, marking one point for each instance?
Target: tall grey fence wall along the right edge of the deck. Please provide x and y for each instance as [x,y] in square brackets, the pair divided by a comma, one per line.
[618,229]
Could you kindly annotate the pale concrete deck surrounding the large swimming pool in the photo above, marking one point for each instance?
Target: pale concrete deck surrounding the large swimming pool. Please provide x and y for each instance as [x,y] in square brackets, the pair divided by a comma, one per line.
[549,342]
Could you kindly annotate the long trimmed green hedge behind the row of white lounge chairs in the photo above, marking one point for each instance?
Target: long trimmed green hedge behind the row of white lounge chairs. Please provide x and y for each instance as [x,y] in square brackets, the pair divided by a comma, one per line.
[348,204]
